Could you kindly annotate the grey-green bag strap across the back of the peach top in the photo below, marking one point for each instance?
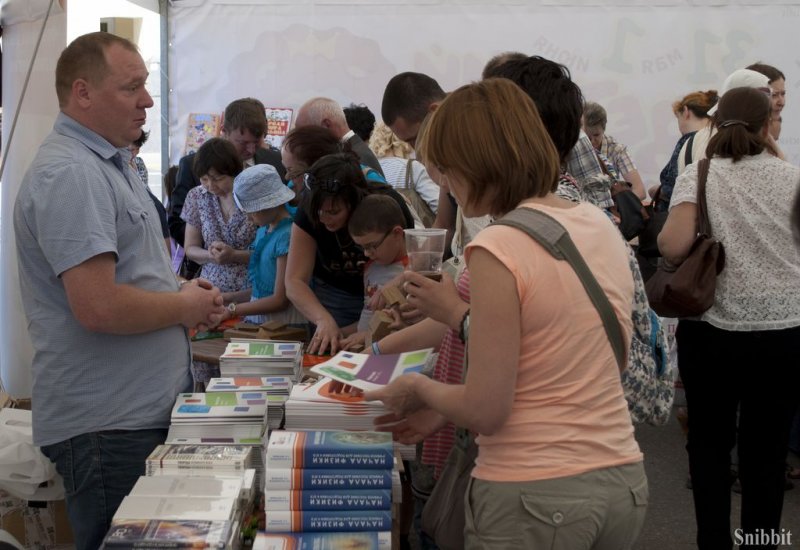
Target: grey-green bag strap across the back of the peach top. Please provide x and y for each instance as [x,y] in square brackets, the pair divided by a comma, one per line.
[555,239]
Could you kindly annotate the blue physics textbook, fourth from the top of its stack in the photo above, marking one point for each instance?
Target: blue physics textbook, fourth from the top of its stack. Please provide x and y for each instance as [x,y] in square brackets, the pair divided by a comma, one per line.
[342,521]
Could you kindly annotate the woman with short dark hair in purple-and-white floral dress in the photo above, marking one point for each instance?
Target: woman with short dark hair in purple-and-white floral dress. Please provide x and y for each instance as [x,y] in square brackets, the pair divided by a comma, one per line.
[218,234]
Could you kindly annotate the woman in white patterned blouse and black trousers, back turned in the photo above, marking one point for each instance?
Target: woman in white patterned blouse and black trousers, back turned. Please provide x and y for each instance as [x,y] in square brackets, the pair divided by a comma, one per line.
[741,354]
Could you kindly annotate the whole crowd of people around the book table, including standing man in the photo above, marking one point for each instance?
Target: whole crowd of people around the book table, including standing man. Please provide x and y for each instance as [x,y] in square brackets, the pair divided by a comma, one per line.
[310,233]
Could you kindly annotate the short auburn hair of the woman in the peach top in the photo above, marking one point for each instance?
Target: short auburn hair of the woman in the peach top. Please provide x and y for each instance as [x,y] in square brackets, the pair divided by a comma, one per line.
[491,135]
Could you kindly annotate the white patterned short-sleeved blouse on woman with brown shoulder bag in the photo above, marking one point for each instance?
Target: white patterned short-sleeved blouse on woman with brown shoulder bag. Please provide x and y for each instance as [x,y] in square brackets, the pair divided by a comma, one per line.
[749,207]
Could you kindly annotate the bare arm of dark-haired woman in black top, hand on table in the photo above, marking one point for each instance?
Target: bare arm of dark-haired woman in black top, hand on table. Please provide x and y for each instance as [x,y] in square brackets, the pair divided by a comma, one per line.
[299,268]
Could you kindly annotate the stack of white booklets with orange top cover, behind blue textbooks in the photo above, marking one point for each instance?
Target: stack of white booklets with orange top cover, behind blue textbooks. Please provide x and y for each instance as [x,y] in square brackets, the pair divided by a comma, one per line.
[313,406]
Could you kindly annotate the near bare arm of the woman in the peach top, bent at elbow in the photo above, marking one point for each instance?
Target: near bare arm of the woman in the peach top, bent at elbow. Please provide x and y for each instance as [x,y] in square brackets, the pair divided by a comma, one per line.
[484,402]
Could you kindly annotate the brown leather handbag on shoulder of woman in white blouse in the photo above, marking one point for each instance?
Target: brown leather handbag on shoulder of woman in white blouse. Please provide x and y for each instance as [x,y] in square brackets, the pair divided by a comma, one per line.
[687,290]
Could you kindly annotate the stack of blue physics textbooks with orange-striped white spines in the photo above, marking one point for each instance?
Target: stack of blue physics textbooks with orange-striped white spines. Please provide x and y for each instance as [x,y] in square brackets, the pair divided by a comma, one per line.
[330,482]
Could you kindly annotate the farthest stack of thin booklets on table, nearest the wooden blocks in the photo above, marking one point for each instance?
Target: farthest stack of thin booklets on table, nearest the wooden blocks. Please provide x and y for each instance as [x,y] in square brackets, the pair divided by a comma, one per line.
[244,357]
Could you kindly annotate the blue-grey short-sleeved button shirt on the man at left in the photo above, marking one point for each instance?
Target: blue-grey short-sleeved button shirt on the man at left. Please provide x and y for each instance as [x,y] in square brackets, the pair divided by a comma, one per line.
[79,199]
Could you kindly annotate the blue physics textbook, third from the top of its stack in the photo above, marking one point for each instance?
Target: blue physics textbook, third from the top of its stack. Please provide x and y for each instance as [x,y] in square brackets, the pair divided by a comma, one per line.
[328,499]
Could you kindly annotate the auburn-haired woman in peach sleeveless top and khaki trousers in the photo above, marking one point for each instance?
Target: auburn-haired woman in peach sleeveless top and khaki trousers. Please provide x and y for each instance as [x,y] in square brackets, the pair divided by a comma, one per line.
[557,465]
